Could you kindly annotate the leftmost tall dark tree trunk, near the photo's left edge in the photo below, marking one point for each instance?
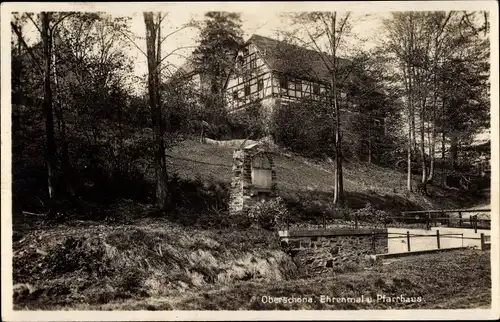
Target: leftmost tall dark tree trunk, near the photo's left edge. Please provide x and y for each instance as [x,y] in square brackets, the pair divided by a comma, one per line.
[47,106]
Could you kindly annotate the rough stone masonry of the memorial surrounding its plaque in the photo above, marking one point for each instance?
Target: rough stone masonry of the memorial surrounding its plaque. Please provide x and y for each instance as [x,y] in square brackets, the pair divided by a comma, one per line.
[243,194]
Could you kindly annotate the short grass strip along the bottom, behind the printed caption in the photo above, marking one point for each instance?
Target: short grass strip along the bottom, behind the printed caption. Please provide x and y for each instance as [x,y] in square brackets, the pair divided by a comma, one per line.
[455,280]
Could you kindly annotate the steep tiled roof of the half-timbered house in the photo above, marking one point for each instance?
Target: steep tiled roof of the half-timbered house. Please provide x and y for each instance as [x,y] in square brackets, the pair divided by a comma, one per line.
[294,60]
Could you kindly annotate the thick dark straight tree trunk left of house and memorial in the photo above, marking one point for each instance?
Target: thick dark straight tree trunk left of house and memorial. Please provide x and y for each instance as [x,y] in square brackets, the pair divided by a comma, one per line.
[162,197]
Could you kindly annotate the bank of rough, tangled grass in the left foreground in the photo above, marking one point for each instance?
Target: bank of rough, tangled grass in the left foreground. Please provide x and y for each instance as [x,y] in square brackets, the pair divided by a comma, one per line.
[100,263]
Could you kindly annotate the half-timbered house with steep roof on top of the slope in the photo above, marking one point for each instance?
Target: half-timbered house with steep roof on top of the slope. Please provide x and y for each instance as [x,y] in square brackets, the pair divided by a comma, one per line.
[275,73]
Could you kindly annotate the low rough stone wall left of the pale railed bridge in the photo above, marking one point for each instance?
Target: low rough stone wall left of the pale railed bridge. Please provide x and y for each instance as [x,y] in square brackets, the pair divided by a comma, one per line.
[323,250]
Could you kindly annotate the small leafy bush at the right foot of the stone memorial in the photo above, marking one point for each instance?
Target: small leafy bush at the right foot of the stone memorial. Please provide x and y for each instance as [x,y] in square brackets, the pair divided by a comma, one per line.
[269,214]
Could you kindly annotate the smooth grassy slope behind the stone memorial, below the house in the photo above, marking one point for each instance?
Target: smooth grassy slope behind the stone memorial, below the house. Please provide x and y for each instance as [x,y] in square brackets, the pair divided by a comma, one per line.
[298,177]
